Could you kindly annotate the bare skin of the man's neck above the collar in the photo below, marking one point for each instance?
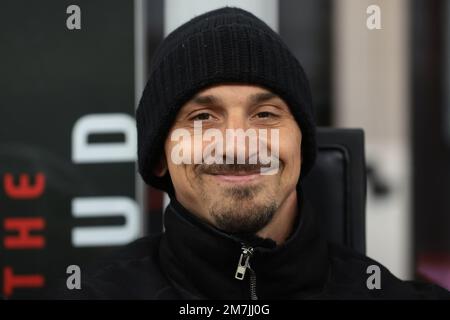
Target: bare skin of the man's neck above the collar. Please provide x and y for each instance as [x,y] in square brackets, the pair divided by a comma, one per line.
[282,224]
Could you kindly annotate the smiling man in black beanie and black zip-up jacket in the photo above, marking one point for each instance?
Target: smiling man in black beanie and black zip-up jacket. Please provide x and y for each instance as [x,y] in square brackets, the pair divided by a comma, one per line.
[234,229]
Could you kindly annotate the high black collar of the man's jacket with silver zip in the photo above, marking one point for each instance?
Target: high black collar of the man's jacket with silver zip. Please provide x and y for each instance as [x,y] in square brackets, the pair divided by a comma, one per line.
[201,261]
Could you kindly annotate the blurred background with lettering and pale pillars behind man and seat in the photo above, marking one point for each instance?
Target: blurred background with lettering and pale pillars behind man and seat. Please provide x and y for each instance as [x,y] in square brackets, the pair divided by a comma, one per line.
[72,73]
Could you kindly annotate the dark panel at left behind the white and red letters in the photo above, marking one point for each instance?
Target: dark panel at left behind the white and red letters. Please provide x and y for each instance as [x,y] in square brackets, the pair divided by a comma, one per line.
[51,77]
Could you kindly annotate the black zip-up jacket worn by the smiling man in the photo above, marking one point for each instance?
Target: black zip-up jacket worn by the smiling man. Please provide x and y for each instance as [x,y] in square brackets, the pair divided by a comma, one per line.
[192,260]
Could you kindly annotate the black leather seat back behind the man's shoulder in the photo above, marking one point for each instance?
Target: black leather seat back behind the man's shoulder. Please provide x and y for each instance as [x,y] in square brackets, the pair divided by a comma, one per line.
[336,186]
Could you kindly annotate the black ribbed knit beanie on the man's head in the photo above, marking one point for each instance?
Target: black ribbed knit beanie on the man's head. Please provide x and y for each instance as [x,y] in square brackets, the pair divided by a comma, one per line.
[227,45]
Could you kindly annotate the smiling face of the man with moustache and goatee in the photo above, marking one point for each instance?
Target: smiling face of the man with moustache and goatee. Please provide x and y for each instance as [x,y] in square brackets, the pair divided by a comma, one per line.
[234,197]
